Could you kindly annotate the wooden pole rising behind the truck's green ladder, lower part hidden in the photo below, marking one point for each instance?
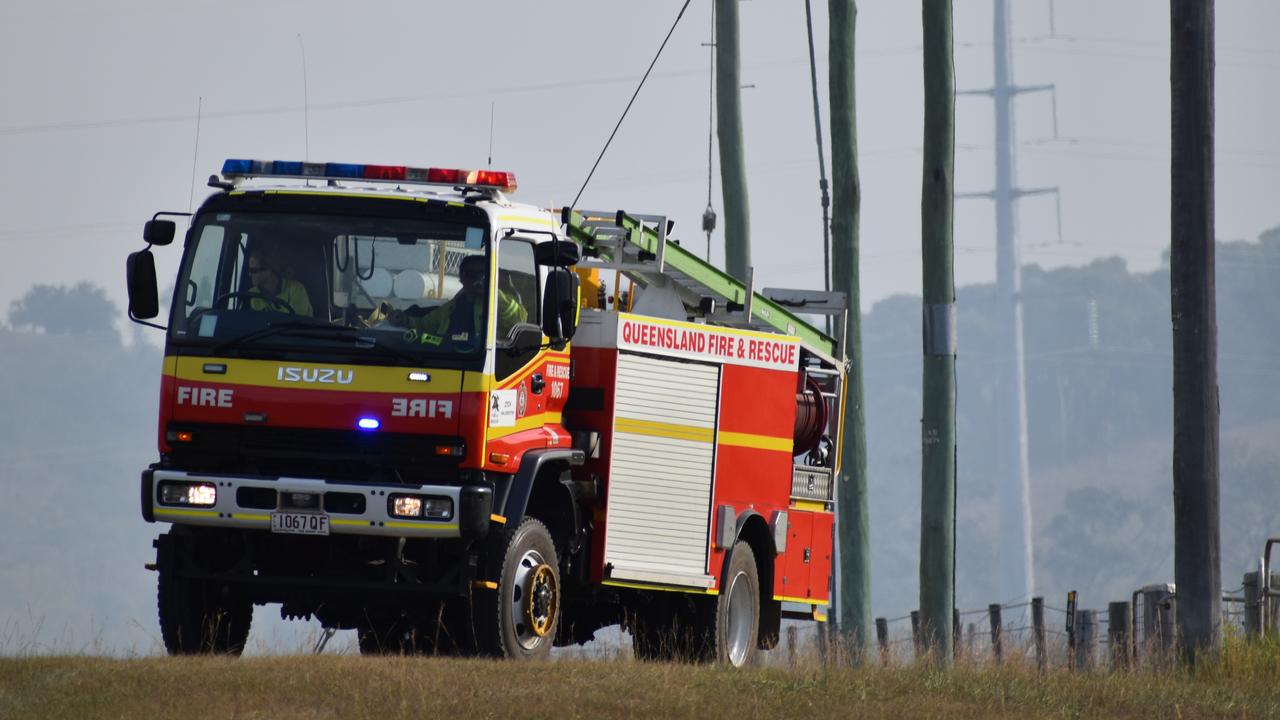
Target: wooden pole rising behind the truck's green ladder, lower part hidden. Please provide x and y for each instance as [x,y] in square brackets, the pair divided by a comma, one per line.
[729,129]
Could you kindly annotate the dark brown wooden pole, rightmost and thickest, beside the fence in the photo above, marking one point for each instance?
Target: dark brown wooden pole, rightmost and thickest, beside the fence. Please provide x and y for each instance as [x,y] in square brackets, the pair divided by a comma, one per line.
[1197,571]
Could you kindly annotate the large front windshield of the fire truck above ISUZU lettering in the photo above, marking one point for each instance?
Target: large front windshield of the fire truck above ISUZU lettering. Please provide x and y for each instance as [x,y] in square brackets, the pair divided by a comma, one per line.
[373,285]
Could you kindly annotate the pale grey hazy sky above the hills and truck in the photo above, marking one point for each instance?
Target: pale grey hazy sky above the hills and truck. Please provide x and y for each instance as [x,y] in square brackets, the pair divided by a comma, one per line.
[98,127]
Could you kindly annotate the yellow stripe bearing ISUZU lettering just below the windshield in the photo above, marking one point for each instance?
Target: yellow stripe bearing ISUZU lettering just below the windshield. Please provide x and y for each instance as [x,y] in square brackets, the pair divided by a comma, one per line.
[364,379]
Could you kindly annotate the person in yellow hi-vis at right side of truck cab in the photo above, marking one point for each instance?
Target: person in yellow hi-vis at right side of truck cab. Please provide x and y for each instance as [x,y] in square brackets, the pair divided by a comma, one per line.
[461,317]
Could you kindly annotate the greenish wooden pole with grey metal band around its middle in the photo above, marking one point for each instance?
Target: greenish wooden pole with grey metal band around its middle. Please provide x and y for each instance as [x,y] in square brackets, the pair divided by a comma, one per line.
[939,389]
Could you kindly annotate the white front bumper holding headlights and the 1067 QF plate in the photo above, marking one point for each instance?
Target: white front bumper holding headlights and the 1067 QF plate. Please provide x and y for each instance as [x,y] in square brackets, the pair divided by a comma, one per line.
[473,505]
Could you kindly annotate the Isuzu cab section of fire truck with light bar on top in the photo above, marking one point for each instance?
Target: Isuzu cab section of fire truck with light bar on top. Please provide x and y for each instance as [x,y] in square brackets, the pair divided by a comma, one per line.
[360,384]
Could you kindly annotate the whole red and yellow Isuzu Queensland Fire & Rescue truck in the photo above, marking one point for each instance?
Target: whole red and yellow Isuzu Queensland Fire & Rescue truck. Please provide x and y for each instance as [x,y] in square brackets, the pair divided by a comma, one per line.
[396,402]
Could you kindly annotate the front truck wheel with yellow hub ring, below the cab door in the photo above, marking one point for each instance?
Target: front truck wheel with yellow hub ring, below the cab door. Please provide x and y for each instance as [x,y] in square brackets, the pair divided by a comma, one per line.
[519,618]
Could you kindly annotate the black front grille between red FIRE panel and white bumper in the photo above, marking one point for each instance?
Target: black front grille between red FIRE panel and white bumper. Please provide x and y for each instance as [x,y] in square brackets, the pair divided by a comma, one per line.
[341,455]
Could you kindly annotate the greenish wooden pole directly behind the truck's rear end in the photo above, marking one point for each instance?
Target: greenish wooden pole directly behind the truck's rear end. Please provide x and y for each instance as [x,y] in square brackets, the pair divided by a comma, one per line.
[856,578]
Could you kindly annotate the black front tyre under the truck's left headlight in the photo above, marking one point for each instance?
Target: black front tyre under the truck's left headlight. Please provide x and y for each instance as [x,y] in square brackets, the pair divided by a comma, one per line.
[198,618]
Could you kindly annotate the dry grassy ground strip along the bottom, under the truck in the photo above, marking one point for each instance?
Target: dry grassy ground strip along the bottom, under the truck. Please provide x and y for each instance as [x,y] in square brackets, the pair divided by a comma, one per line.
[1245,682]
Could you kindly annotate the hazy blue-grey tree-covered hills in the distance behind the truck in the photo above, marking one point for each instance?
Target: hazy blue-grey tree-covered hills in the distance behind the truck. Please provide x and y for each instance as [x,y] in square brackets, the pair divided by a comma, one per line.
[81,413]
